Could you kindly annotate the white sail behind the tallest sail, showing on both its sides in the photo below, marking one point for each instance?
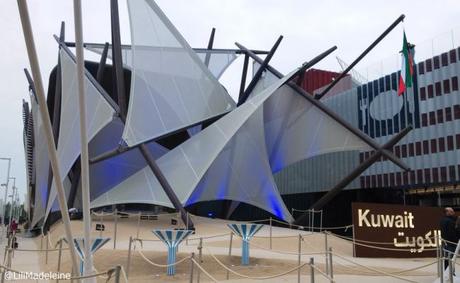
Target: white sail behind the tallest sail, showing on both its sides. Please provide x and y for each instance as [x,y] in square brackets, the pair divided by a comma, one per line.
[218,62]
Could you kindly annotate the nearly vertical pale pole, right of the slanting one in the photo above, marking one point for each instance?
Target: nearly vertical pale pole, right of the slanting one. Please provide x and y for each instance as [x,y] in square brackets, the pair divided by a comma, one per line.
[84,175]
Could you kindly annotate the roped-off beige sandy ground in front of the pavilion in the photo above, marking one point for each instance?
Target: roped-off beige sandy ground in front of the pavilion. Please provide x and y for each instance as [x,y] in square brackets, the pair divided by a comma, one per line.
[264,261]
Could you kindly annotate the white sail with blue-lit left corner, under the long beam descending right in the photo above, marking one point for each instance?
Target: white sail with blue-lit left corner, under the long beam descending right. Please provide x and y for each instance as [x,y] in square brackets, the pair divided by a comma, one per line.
[295,129]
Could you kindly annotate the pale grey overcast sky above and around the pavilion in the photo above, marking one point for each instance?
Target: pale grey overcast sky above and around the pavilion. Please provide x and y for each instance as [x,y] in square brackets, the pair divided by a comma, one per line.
[308,27]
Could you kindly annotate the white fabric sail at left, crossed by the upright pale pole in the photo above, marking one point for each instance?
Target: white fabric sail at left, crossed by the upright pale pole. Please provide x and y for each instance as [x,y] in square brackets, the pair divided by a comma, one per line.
[99,114]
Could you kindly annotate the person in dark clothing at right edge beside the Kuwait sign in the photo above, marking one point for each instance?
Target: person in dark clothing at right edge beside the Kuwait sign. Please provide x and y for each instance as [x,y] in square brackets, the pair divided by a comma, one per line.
[449,234]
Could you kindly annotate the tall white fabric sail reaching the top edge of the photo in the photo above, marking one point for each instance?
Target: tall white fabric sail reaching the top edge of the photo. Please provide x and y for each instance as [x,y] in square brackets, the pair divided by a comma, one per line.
[171,88]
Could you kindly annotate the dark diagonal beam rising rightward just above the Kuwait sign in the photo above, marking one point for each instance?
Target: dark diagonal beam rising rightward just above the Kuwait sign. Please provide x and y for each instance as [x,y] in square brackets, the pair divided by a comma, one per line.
[358,171]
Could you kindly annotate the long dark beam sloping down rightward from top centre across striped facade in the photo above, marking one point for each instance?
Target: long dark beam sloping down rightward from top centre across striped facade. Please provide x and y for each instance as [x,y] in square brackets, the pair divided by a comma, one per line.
[328,112]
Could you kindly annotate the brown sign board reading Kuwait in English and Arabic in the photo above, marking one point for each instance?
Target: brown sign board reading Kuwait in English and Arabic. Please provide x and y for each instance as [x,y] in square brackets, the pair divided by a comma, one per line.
[388,230]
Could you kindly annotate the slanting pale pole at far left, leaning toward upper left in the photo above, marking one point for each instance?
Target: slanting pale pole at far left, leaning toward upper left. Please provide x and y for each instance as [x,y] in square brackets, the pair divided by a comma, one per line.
[32,53]
